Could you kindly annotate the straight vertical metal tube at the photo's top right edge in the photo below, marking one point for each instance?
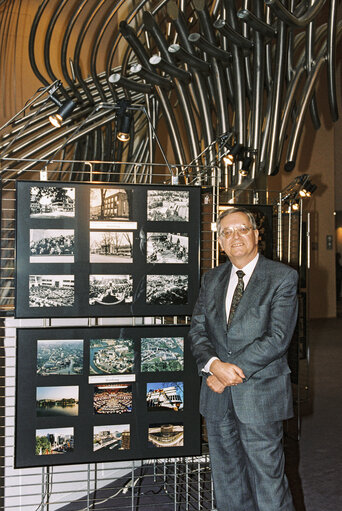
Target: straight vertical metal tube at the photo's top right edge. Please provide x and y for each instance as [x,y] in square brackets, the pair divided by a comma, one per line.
[332,29]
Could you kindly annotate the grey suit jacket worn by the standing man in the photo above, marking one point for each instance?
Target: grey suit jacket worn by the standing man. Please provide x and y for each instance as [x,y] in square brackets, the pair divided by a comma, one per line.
[257,341]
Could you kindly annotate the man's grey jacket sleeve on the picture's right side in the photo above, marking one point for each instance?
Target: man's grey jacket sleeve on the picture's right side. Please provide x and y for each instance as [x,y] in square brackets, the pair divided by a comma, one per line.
[273,345]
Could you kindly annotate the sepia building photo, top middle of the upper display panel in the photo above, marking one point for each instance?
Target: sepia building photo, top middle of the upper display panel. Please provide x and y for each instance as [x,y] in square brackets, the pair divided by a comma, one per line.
[108,204]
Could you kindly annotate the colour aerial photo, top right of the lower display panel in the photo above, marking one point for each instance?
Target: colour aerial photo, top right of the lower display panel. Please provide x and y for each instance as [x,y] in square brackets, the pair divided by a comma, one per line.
[162,354]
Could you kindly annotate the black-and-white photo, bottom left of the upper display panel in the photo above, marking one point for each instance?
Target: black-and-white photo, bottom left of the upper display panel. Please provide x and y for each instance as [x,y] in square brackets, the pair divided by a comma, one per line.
[51,291]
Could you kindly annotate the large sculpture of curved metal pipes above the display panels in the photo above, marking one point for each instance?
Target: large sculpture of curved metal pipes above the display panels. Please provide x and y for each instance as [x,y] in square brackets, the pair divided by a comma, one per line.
[200,69]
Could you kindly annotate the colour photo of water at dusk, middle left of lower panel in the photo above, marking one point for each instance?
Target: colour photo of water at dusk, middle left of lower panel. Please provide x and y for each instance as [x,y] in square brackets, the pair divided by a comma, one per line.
[56,401]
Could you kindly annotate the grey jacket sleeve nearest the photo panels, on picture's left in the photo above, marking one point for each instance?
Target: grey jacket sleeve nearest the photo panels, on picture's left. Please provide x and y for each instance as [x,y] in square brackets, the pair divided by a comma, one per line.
[200,344]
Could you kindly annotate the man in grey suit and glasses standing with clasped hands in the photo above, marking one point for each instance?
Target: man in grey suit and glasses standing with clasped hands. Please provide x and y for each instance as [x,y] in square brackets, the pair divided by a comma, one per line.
[241,328]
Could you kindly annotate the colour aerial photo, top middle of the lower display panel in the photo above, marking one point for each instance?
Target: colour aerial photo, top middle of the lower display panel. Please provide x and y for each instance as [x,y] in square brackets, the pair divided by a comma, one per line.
[111,356]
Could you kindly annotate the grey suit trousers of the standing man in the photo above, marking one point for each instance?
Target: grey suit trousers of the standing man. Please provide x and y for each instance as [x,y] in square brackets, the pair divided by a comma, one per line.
[247,462]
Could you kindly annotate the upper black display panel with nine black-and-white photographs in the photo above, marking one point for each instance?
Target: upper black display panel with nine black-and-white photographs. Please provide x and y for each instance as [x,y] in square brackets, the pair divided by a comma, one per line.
[90,250]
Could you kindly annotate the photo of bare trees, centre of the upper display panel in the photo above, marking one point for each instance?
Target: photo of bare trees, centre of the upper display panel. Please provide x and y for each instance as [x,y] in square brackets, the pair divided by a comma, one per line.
[111,247]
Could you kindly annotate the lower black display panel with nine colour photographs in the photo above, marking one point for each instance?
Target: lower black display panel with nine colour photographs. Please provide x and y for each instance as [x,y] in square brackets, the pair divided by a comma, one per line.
[105,394]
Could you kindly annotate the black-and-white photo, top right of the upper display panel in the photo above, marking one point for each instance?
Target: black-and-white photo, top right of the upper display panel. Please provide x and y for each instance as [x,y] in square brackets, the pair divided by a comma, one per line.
[168,205]
